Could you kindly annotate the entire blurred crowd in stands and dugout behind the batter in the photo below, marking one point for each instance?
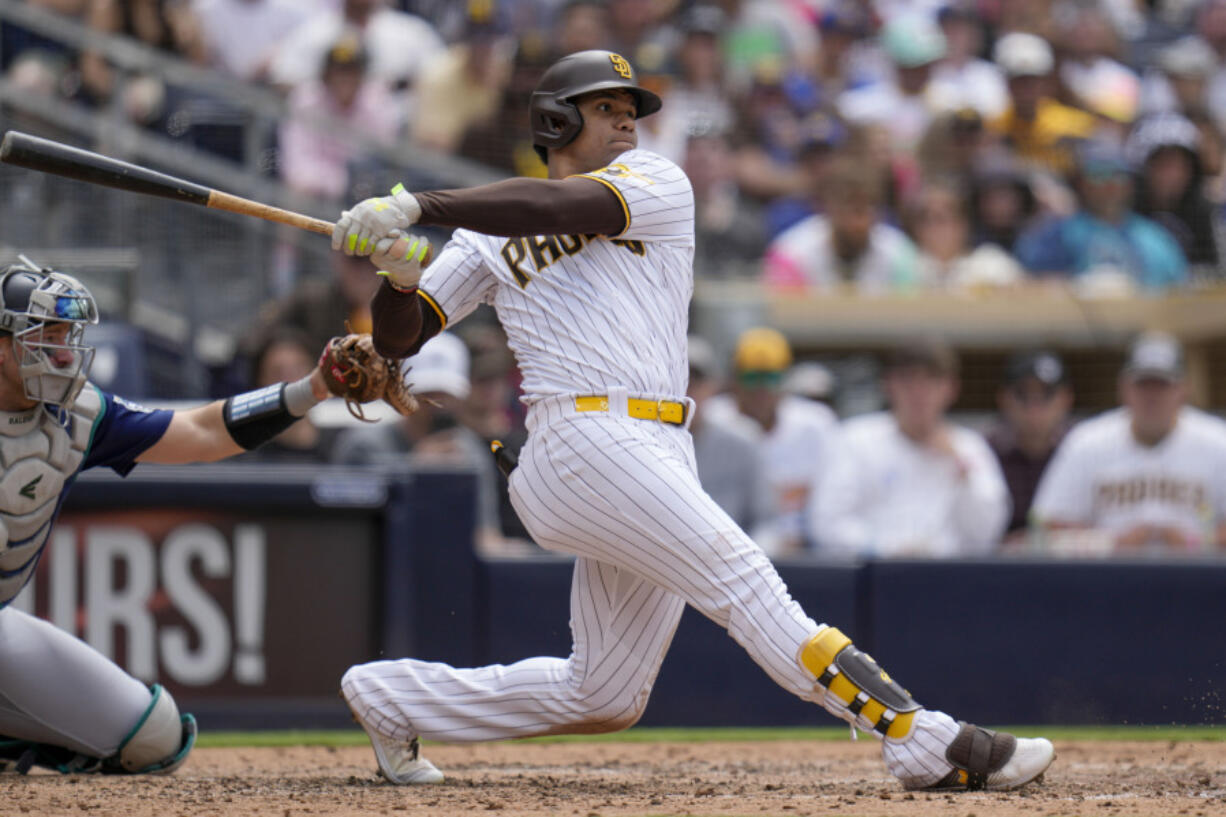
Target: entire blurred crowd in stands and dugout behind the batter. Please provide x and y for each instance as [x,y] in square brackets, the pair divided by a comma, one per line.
[869,147]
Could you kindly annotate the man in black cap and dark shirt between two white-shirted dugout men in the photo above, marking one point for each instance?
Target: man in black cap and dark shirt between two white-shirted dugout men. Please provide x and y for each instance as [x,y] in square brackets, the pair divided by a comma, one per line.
[1035,399]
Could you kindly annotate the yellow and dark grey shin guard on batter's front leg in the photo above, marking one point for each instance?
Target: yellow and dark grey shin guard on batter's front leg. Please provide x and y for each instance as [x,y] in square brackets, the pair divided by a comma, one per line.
[858,689]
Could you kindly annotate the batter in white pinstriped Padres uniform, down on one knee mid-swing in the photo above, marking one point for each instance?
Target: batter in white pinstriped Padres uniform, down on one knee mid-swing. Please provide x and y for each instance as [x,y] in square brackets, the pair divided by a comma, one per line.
[592,274]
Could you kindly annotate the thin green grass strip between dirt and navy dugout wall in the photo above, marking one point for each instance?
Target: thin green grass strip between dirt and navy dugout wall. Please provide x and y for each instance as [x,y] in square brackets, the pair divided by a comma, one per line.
[677,735]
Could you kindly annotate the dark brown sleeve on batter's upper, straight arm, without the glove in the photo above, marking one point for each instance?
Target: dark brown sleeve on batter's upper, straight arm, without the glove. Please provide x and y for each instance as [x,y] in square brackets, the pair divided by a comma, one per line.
[513,208]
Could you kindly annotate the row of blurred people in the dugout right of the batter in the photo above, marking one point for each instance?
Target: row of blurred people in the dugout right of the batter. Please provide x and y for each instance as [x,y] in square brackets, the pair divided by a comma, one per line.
[912,481]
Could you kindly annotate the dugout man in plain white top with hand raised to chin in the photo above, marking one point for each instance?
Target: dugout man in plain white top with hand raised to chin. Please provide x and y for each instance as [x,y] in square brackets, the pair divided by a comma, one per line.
[908,483]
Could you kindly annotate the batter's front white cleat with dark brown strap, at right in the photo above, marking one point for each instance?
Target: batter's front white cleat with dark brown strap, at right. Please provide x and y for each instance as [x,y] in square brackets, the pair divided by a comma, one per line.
[990,761]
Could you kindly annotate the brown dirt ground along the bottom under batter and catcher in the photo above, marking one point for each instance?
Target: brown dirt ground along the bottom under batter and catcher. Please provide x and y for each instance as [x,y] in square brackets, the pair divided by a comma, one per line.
[793,778]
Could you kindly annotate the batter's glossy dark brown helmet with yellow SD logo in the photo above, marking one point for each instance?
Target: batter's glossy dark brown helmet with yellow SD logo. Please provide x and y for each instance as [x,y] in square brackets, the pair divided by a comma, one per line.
[556,118]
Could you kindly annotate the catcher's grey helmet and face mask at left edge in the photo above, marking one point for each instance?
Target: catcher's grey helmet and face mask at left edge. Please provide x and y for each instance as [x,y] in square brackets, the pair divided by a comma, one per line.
[35,304]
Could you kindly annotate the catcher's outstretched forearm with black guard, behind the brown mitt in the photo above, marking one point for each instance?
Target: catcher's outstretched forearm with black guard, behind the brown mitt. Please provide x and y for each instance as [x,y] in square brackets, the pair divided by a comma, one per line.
[229,428]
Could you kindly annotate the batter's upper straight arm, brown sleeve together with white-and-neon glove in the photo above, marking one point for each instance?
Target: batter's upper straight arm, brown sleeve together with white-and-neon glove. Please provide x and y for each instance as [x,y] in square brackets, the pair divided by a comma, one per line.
[512,208]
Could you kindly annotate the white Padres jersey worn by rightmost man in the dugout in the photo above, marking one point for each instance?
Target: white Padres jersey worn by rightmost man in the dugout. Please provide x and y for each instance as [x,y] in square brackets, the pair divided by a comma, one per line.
[1103,478]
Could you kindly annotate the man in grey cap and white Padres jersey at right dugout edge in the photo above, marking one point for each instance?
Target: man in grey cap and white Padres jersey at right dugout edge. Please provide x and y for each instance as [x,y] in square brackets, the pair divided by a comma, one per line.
[1151,475]
